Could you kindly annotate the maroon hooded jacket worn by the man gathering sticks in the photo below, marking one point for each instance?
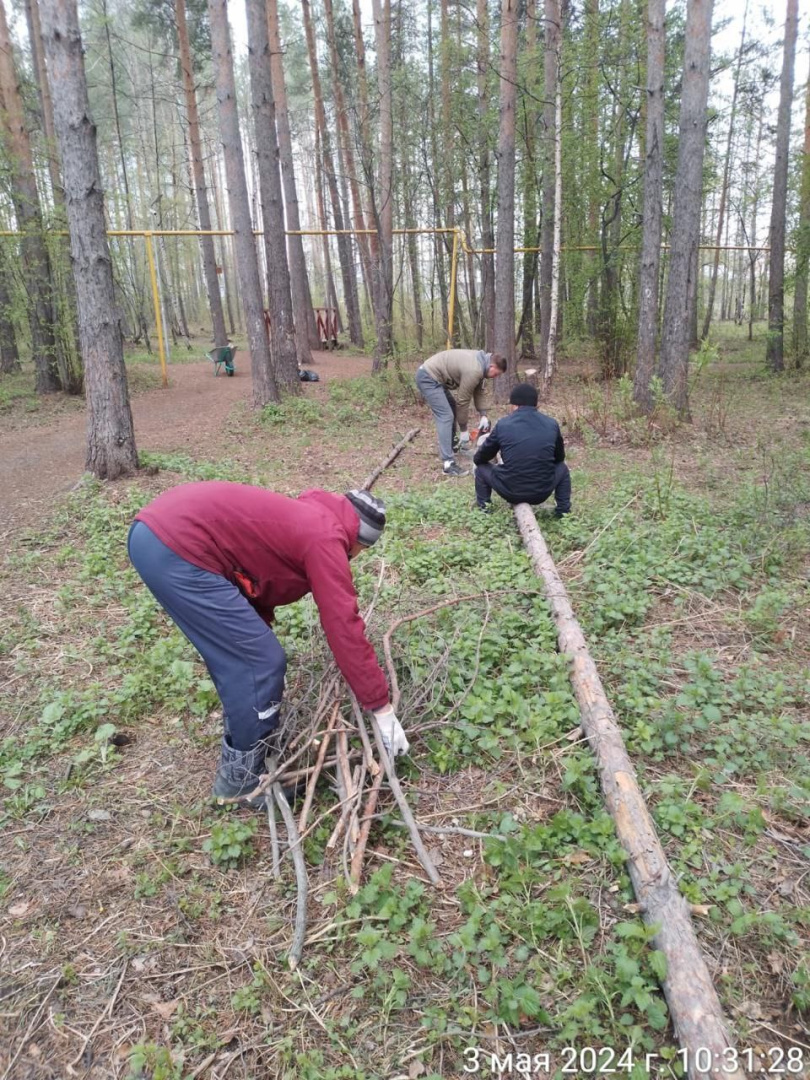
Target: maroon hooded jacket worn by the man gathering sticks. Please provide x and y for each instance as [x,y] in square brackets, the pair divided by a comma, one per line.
[276,550]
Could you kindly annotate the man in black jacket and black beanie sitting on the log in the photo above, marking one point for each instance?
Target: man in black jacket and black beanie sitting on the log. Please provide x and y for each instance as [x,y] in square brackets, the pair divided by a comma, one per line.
[533,452]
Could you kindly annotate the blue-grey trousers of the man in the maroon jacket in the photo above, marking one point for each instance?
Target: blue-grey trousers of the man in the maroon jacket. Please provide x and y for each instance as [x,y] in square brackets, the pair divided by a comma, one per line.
[246,661]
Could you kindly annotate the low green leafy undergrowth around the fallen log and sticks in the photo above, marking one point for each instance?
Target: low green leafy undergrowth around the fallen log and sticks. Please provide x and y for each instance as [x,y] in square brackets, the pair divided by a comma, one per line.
[536,930]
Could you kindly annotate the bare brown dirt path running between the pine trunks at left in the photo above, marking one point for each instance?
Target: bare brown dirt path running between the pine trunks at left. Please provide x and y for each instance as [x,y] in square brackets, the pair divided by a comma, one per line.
[45,458]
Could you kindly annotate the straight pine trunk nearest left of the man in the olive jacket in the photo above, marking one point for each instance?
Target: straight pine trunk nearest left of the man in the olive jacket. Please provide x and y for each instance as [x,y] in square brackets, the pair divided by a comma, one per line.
[384,291]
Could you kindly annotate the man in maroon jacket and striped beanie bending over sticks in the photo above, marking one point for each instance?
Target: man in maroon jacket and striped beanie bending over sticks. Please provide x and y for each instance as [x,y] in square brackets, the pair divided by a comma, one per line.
[221,558]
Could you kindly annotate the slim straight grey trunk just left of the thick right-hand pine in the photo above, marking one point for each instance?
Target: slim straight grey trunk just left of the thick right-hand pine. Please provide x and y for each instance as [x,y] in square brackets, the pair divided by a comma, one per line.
[651,262]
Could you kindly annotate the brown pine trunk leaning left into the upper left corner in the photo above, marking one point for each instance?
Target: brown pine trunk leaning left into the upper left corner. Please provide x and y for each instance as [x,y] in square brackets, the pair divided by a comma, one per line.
[25,198]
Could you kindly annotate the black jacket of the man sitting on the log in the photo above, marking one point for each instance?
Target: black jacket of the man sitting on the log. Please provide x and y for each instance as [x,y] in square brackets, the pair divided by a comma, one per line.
[531,444]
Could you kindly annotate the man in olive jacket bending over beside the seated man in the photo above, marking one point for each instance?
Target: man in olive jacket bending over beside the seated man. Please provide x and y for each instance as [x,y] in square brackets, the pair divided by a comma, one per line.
[463,371]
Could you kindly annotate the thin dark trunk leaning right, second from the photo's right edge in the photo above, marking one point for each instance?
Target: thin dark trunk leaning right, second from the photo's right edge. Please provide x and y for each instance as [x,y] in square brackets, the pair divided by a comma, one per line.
[776,348]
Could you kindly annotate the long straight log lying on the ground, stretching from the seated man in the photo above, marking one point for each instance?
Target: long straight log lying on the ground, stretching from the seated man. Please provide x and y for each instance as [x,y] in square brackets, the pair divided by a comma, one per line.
[695,1008]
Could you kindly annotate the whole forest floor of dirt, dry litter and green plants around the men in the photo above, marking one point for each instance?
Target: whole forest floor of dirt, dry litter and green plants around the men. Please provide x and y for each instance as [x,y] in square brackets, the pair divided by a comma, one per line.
[143,934]
